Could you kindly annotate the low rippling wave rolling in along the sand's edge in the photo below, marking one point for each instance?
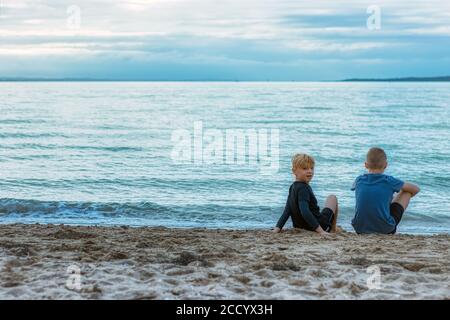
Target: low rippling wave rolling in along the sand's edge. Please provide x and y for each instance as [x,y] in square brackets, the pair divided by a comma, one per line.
[147,213]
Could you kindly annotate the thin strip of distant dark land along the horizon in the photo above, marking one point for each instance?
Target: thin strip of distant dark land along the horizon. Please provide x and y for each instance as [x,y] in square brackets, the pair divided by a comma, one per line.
[405,79]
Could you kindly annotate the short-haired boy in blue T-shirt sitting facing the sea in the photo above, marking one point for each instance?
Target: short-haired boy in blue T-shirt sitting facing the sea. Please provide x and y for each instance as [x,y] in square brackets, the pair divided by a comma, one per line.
[377,211]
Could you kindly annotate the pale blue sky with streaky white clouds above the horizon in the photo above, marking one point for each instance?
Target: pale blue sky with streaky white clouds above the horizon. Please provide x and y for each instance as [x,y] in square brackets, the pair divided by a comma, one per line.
[281,40]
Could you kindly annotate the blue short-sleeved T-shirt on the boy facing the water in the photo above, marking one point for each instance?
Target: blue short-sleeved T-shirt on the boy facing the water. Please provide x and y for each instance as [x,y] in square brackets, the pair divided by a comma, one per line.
[374,193]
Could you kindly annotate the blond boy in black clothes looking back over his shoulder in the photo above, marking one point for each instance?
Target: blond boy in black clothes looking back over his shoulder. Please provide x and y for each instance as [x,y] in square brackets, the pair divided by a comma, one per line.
[301,204]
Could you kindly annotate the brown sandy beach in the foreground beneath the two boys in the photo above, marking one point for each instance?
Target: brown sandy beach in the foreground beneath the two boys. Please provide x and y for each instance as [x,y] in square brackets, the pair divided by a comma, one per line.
[161,263]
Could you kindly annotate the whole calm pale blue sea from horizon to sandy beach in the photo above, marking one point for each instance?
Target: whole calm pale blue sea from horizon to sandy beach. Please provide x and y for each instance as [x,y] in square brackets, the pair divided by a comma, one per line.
[101,153]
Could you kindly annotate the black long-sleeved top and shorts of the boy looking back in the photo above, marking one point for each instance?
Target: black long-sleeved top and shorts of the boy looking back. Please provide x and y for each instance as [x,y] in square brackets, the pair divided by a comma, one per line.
[302,207]
